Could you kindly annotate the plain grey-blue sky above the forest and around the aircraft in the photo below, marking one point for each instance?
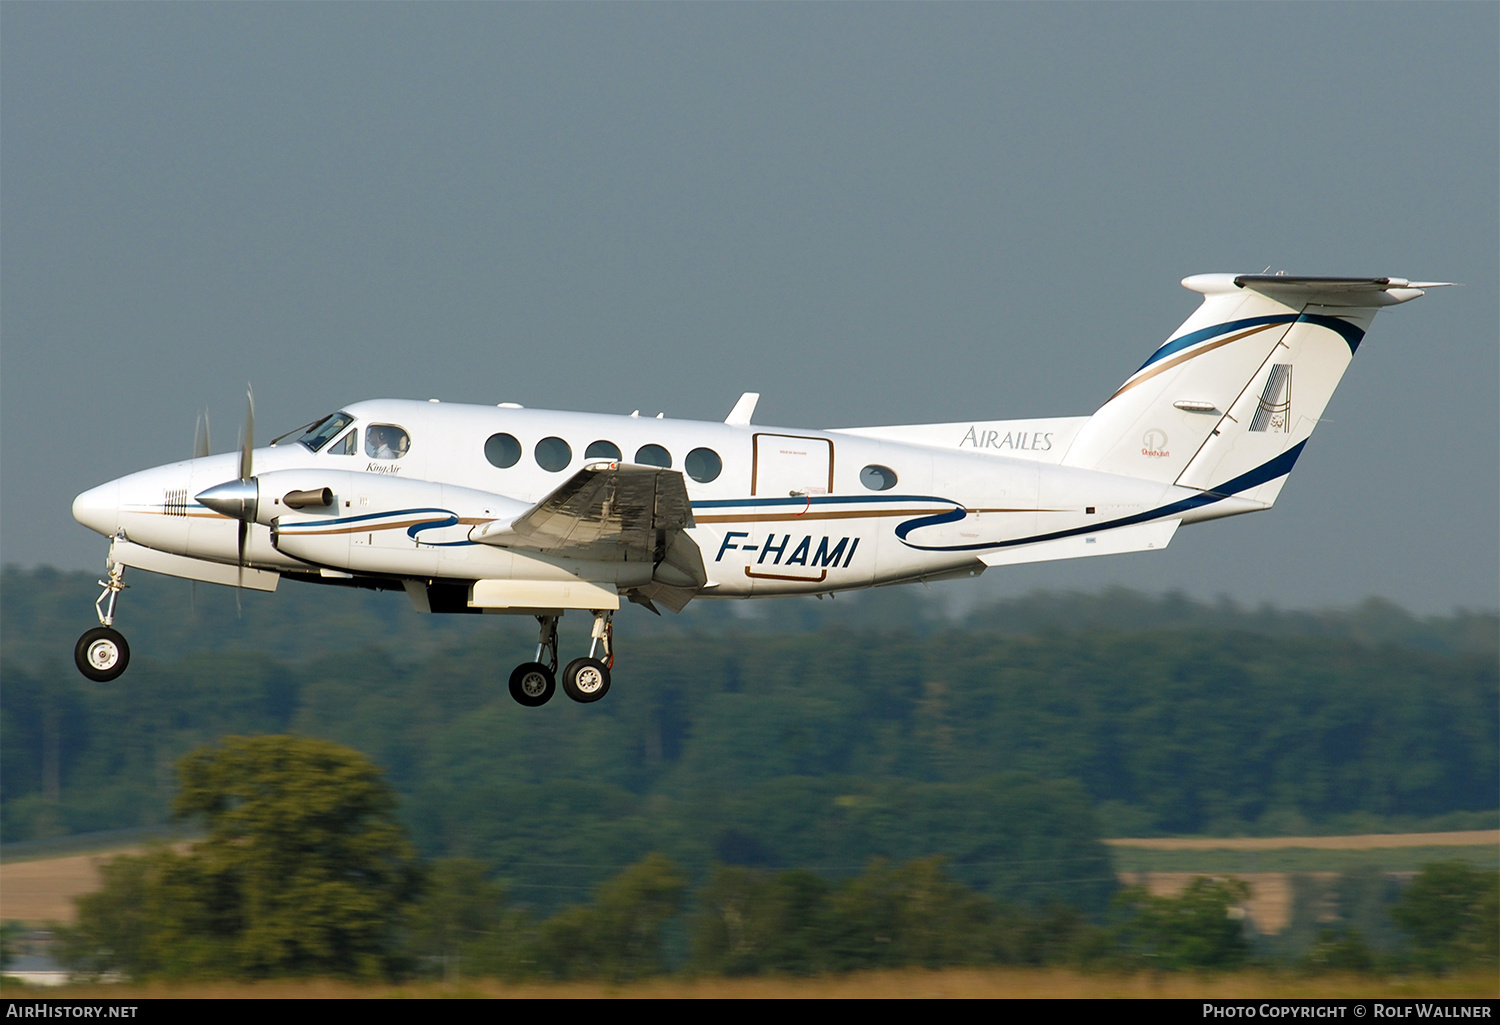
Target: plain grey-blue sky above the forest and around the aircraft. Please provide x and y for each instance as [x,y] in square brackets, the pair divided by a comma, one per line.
[869,214]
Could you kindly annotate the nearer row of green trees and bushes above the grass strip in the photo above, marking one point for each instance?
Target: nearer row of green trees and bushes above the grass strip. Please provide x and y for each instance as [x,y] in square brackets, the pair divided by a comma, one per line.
[304,870]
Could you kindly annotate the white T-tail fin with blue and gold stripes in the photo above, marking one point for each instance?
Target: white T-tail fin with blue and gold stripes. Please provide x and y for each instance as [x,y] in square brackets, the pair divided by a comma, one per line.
[1234,395]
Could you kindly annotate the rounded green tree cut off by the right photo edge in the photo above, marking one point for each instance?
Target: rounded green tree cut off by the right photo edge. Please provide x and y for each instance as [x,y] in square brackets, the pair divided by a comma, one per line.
[1453,915]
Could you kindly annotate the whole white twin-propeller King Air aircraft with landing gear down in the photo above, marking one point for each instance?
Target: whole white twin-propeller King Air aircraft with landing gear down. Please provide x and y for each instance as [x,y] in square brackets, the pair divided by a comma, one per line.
[505,509]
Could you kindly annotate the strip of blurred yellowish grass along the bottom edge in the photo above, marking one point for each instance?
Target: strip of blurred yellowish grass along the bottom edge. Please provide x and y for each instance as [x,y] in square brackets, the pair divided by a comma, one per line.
[886,985]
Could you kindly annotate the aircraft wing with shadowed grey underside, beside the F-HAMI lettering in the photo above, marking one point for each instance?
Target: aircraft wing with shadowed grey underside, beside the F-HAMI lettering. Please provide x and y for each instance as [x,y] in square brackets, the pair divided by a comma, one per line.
[605,511]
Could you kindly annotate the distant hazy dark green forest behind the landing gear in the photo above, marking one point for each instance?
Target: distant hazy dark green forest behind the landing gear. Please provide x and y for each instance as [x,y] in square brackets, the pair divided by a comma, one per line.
[896,736]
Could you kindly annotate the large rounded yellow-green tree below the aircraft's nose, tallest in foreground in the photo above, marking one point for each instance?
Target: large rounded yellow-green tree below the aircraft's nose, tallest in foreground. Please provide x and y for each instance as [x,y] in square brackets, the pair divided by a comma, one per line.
[305,871]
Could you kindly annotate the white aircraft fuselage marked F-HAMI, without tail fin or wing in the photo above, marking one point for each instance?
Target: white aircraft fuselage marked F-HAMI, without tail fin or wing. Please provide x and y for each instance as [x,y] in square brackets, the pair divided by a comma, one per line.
[788,512]
